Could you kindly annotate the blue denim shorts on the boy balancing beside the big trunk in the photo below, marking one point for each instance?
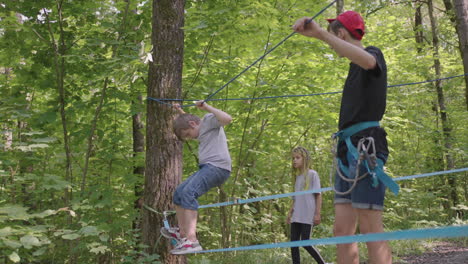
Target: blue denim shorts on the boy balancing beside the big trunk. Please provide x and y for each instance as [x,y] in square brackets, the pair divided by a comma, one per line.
[199,183]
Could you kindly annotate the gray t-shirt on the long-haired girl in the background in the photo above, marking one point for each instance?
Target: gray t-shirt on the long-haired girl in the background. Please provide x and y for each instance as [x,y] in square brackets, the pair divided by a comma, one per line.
[304,205]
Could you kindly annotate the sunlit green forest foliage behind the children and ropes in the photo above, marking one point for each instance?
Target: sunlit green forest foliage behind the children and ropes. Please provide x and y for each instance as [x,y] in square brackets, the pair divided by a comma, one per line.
[74,80]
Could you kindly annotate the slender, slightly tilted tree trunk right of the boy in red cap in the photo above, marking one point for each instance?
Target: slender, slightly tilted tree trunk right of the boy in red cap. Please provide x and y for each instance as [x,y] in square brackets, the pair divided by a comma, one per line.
[446,129]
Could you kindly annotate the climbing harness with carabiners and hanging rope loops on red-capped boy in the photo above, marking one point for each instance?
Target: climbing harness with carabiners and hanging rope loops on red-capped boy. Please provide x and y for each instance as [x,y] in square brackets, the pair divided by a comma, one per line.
[364,156]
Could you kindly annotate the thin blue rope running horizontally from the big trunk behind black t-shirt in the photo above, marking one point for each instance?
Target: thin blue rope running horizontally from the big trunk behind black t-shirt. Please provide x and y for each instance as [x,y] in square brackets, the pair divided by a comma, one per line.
[162,100]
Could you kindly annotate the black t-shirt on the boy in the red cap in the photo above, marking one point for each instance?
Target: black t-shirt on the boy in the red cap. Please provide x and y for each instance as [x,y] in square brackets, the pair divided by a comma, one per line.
[364,93]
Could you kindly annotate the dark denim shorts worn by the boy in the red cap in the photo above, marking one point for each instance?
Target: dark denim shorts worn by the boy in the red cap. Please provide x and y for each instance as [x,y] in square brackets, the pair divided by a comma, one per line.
[363,196]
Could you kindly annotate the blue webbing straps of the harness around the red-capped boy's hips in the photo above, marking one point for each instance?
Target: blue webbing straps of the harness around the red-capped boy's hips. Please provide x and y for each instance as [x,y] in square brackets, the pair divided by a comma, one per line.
[352,157]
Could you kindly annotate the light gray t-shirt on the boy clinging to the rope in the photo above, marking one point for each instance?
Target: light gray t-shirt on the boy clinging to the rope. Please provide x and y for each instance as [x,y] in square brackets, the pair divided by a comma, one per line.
[213,147]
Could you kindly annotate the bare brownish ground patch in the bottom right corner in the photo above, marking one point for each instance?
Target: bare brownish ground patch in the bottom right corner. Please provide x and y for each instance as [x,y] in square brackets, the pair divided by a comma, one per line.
[445,252]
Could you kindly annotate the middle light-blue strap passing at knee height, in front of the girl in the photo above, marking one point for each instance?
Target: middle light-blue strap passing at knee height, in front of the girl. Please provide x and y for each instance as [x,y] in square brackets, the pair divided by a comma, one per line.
[283,195]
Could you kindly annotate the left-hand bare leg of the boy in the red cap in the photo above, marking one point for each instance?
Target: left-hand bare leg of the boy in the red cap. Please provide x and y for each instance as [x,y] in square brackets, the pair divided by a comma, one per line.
[345,225]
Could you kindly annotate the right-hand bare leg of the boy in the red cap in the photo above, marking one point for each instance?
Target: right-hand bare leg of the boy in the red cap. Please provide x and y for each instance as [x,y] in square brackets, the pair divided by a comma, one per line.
[371,221]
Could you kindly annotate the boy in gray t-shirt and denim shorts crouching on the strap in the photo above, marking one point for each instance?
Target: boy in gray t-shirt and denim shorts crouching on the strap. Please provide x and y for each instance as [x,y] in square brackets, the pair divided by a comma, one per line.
[215,168]
